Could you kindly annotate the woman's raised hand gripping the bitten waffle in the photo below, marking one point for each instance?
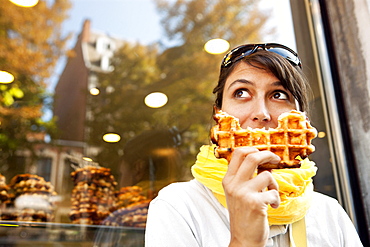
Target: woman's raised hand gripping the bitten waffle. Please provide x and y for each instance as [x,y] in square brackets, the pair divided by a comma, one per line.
[248,196]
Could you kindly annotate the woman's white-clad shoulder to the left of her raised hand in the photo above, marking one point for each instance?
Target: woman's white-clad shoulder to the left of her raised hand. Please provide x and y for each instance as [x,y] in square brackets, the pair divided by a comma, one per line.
[181,215]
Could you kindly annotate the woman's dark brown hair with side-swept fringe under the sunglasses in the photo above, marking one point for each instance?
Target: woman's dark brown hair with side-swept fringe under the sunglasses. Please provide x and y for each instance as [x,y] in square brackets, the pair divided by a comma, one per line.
[291,77]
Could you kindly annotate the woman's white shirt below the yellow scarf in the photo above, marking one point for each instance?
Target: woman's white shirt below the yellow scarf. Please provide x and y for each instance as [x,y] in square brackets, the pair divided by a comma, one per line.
[187,214]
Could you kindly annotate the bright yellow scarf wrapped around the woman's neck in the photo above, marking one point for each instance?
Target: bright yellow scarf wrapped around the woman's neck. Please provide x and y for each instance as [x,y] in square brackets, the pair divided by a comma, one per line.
[295,185]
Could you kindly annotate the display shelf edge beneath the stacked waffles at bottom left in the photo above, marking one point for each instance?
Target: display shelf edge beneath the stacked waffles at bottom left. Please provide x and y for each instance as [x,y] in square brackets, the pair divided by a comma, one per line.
[13,233]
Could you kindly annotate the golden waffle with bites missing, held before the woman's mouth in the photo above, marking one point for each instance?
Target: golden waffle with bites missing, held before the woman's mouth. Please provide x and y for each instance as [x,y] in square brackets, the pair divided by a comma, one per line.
[290,139]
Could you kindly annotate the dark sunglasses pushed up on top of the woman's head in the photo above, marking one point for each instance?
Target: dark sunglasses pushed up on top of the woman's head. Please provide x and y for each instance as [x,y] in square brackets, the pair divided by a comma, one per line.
[242,51]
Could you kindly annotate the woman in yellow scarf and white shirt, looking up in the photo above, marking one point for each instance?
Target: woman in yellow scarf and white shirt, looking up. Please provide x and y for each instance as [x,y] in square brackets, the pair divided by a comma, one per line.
[229,204]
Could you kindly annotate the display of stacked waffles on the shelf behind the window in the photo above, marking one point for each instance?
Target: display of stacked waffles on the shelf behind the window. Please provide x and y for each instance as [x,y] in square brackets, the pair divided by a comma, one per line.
[98,214]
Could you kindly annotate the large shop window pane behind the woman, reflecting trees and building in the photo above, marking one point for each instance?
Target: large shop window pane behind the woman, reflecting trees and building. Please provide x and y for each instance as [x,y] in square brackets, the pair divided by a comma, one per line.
[112,100]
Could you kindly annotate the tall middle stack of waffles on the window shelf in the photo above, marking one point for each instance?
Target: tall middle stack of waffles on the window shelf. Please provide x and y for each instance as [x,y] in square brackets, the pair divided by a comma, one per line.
[93,195]
